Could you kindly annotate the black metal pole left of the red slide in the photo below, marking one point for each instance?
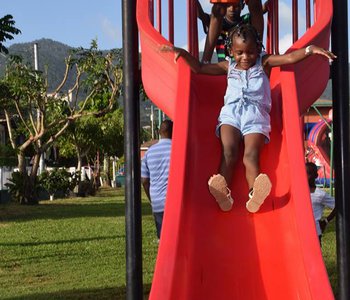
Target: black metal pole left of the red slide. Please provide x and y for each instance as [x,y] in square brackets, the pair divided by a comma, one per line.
[134,285]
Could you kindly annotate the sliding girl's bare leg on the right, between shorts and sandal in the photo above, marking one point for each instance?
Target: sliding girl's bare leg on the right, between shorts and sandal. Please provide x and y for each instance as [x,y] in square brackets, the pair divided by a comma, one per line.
[253,144]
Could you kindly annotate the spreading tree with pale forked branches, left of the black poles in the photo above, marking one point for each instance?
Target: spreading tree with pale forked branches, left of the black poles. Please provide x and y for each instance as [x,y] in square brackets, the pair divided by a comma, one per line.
[40,118]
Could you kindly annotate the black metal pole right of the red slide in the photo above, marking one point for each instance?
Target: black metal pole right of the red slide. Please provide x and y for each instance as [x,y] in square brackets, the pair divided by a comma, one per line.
[341,110]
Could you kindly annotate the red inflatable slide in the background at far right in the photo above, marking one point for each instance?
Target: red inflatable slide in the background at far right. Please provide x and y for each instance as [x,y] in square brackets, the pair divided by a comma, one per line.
[318,150]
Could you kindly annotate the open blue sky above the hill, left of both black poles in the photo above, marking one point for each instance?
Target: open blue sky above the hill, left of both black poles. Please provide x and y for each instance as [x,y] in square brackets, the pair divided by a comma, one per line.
[72,22]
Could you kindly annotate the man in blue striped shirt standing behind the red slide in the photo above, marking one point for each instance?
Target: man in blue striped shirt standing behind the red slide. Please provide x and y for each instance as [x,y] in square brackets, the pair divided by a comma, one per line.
[155,172]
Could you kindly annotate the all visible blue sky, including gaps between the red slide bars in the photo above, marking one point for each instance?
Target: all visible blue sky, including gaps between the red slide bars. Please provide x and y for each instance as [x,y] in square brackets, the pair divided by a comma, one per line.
[77,22]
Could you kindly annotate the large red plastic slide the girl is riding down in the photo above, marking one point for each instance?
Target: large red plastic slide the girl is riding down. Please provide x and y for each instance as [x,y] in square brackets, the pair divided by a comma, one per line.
[205,253]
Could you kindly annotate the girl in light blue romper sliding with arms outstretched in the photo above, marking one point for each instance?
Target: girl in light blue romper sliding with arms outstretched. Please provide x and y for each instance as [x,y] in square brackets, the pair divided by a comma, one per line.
[245,114]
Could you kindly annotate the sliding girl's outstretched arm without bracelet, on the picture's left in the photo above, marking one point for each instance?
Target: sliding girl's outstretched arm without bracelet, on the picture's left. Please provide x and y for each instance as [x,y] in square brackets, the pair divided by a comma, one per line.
[195,65]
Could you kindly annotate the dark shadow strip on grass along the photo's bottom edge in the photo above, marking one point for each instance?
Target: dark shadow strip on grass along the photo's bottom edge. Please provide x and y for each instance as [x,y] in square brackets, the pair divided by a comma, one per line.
[107,293]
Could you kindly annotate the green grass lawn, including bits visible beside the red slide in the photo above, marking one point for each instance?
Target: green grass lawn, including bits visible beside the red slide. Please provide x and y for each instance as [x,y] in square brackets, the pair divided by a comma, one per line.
[75,248]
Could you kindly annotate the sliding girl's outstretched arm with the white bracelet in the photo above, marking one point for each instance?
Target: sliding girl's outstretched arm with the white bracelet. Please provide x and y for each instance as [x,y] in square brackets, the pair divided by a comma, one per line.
[270,61]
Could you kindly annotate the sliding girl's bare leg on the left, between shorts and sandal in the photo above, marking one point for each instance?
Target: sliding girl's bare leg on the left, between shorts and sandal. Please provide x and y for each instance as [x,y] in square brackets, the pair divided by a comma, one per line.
[230,140]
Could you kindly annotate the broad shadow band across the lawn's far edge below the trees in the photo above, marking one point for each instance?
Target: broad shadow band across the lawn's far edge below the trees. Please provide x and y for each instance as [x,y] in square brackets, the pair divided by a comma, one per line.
[21,213]
